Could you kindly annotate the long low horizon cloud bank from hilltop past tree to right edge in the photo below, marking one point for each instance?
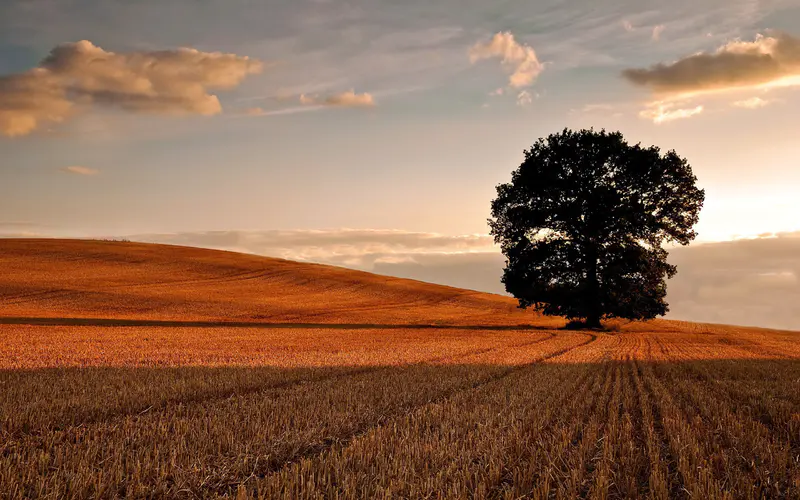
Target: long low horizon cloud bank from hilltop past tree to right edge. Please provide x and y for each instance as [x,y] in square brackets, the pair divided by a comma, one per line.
[748,282]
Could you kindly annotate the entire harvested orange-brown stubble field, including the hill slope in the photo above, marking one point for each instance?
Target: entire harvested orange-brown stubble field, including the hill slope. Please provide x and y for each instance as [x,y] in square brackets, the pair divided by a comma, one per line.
[147,371]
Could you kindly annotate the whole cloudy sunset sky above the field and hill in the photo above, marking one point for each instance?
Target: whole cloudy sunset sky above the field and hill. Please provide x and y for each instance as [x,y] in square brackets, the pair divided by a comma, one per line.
[332,131]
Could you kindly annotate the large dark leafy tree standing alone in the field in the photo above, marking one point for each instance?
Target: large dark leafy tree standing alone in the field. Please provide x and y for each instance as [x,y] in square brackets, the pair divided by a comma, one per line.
[582,224]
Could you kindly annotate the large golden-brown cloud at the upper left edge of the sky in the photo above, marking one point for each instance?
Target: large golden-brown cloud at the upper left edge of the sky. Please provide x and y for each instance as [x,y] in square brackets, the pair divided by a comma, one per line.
[82,74]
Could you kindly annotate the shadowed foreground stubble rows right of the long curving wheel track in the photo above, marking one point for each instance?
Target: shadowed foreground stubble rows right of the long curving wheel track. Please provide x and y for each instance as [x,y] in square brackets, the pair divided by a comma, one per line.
[608,429]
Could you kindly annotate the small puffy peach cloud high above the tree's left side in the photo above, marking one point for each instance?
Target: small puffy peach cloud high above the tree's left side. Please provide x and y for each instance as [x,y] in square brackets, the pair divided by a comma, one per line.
[521,59]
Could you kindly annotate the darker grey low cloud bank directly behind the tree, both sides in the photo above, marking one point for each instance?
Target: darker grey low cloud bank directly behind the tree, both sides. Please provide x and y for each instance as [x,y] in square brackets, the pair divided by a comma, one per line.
[745,282]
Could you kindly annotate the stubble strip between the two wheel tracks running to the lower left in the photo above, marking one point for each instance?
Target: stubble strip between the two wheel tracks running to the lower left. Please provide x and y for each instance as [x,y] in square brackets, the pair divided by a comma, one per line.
[210,443]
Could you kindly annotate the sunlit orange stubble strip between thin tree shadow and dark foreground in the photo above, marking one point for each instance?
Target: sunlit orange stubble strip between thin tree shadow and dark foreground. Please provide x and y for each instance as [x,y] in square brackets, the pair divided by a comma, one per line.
[28,347]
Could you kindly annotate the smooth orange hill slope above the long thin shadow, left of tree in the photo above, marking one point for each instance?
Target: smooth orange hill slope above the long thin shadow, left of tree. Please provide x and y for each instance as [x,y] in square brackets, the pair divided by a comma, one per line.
[108,279]
